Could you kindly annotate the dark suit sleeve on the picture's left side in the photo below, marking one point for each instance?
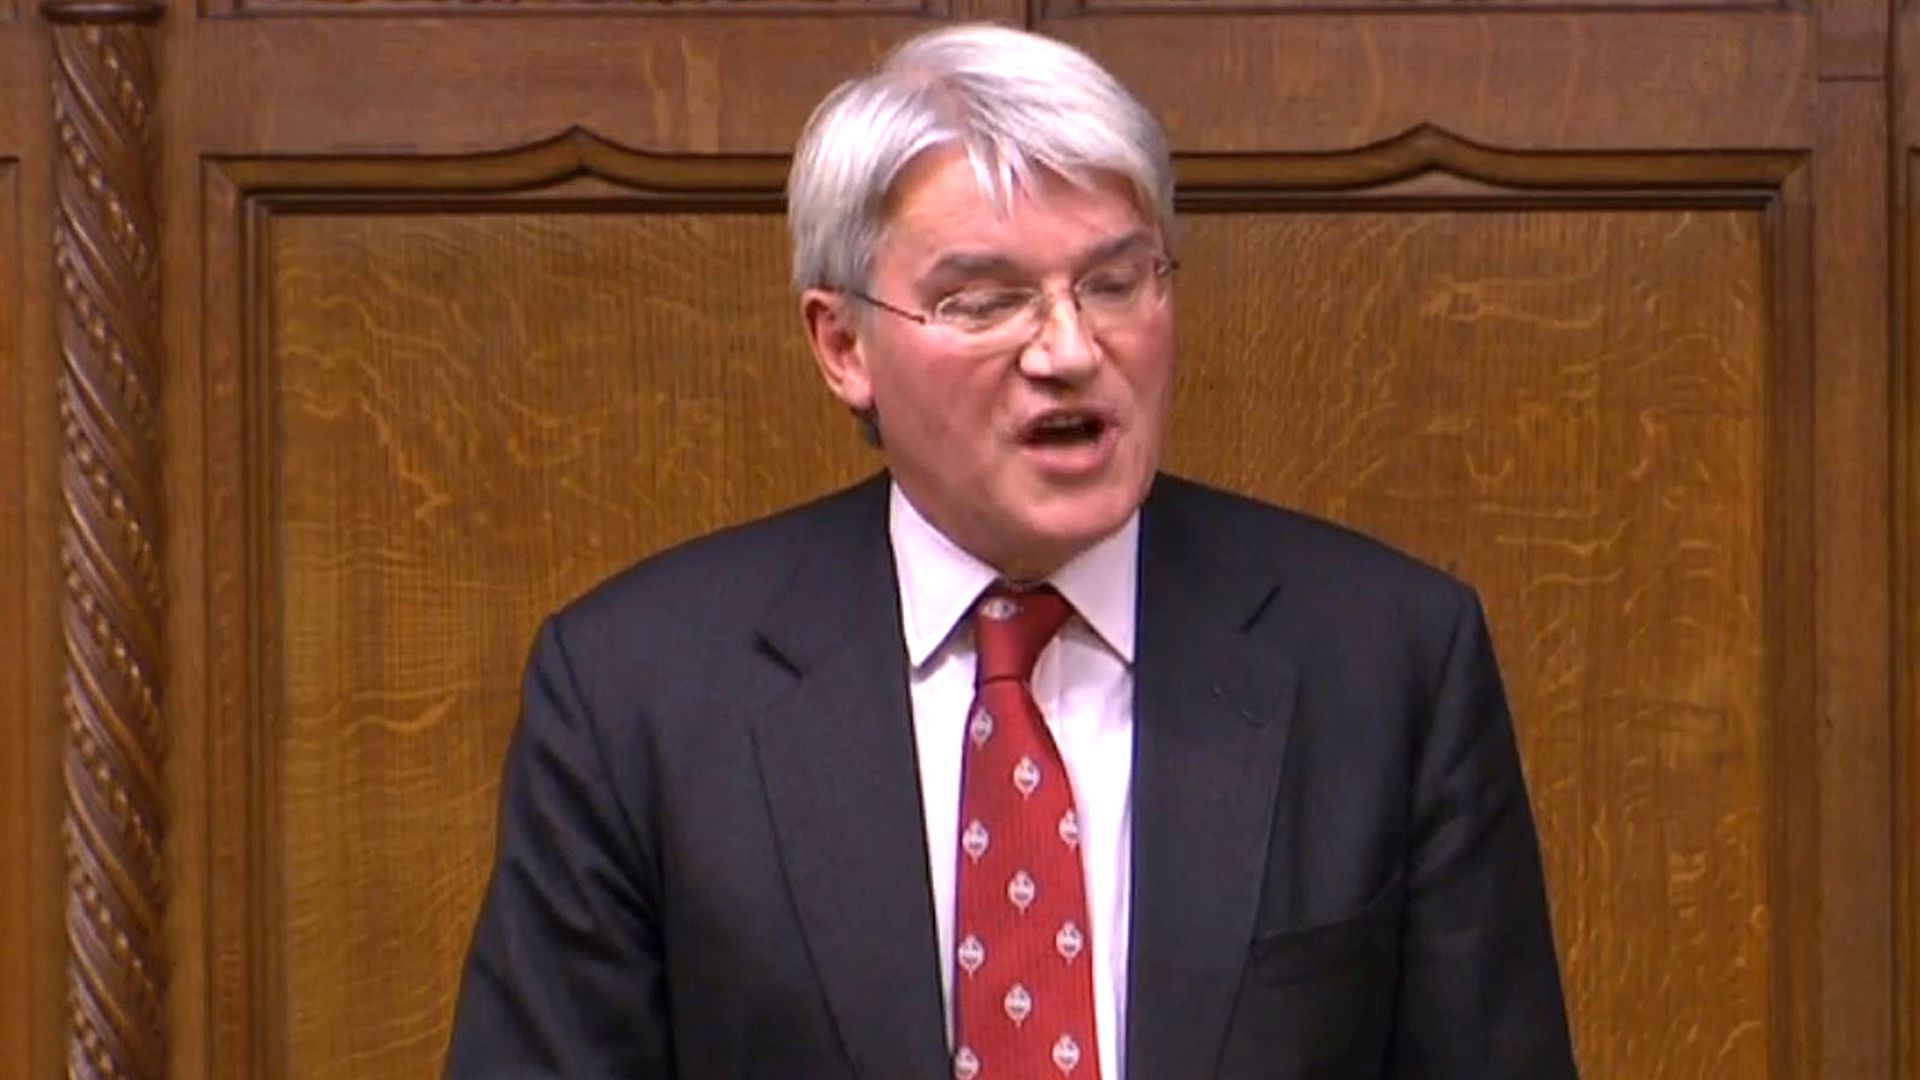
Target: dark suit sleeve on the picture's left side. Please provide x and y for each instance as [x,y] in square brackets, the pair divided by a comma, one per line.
[565,971]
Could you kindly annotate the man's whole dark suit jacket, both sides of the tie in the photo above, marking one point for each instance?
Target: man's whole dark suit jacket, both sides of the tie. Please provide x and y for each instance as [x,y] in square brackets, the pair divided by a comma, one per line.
[713,858]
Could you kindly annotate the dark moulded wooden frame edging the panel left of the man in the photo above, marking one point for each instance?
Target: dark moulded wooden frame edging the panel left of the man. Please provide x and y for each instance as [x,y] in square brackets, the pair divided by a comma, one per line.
[247,718]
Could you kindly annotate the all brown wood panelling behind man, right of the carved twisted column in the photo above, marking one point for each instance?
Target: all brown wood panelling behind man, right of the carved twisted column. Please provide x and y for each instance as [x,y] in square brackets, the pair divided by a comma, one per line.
[385,479]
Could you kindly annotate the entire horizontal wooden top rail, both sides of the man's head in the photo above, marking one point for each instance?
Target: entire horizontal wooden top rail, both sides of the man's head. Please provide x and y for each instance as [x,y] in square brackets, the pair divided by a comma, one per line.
[1220,84]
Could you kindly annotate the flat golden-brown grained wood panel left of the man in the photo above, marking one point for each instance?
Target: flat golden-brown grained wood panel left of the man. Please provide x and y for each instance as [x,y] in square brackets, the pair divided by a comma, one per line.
[477,418]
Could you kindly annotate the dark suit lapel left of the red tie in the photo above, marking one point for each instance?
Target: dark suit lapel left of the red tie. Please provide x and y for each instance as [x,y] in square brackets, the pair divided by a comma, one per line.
[844,789]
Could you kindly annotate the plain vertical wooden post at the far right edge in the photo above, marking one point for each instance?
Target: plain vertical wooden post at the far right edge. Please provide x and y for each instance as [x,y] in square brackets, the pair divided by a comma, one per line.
[1856,602]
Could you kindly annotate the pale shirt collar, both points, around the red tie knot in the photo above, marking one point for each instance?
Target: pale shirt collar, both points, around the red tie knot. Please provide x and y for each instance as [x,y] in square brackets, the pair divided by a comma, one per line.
[940,581]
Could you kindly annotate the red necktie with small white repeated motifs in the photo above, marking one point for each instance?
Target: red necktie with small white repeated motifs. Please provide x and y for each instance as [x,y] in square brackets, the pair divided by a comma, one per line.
[1024,950]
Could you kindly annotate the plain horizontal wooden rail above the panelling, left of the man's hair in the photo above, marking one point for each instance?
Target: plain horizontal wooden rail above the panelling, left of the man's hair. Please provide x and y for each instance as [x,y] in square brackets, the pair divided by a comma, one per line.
[684,84]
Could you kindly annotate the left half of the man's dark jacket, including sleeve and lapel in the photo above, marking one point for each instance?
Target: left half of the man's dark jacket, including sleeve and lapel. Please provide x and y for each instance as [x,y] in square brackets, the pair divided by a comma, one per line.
[677,825]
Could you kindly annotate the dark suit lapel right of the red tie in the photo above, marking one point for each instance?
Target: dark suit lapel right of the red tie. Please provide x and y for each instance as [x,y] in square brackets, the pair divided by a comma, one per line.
[1212,712]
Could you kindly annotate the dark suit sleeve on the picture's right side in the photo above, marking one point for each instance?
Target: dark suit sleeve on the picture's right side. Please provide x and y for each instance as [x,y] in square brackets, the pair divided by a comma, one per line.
[1479,994]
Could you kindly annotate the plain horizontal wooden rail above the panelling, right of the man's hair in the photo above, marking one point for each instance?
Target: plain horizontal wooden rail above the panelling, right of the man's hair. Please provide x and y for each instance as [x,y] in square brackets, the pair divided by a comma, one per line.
[1516,80]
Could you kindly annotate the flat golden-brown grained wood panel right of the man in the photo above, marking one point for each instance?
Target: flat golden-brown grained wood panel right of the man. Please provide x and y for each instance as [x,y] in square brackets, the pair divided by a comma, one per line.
[1550,405]
